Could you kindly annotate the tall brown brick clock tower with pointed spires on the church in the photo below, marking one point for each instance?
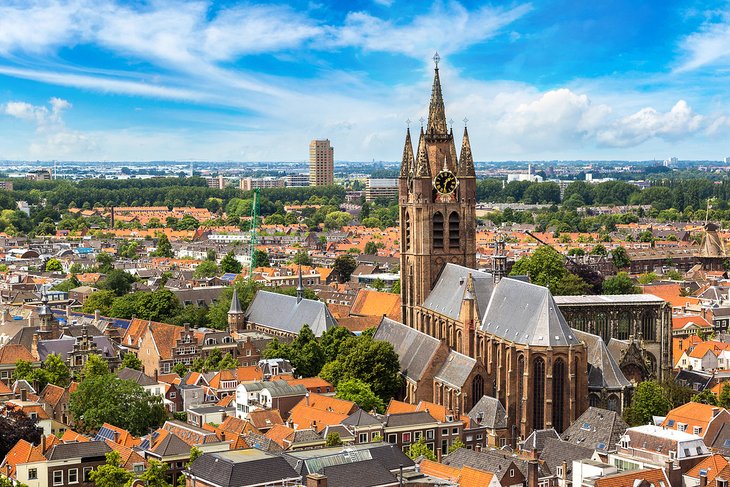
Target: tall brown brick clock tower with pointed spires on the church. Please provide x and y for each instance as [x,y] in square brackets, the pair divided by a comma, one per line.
[437,200]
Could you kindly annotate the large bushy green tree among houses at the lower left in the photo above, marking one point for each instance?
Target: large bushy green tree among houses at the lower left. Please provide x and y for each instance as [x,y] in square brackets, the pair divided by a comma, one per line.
[105,398]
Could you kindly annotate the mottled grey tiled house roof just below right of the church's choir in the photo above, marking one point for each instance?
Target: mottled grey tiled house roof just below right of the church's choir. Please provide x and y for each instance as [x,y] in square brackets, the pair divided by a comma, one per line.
[596,428]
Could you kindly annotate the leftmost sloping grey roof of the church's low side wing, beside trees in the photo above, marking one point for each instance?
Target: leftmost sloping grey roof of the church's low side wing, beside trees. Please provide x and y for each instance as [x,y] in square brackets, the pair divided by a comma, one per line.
[415,349]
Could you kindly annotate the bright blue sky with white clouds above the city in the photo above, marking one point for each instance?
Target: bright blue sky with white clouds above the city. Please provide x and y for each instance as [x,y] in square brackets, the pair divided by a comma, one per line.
[253,81]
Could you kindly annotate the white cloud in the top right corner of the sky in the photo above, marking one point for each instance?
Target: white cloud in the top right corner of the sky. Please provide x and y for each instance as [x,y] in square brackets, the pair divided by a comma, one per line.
[709,46]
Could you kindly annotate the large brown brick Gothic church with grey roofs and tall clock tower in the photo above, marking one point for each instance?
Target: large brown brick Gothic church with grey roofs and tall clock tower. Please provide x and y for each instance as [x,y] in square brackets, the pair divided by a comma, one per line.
[507,338]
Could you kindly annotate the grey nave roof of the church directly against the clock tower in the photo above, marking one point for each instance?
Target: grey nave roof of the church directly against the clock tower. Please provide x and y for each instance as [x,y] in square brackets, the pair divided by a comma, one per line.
[447,295]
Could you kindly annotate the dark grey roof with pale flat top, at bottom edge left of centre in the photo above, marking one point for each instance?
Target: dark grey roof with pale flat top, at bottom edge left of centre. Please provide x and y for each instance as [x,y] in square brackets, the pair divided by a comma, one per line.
[239,468]
